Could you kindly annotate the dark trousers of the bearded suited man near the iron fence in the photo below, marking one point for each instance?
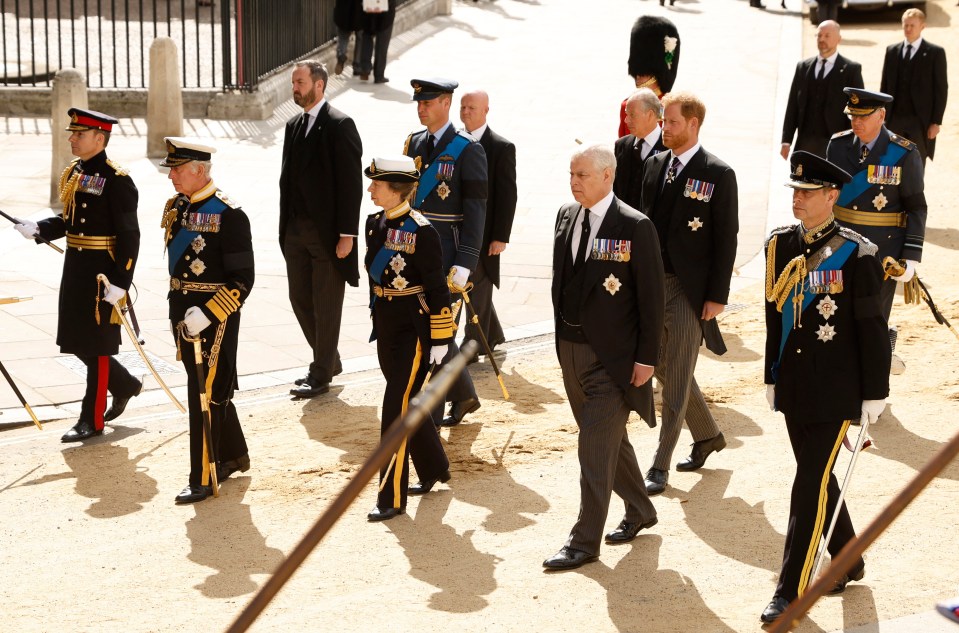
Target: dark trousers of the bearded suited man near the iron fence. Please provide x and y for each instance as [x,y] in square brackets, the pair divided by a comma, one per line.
[316,294]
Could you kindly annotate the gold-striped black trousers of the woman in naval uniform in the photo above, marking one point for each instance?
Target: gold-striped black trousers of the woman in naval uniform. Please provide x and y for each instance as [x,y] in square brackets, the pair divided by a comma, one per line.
[402,345]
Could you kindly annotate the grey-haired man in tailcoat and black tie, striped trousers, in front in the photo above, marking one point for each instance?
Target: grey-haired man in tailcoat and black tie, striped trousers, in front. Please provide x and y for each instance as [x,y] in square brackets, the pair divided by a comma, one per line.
[608,307]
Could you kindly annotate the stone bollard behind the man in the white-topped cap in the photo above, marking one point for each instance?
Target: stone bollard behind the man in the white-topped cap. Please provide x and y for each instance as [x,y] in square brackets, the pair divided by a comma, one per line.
[165,96]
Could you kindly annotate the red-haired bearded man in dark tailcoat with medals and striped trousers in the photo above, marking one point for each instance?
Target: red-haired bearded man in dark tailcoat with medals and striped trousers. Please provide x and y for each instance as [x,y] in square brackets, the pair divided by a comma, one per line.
[692,198]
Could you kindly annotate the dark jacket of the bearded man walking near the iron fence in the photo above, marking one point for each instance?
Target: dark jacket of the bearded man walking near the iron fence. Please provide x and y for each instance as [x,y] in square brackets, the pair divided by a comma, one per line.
[330,181]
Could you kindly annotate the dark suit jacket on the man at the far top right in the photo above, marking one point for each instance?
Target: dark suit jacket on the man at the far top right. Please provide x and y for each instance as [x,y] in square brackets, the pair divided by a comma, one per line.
[929,84]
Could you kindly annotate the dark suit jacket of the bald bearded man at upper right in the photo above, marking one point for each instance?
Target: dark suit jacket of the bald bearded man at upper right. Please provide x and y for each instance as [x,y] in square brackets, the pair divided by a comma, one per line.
[845,72]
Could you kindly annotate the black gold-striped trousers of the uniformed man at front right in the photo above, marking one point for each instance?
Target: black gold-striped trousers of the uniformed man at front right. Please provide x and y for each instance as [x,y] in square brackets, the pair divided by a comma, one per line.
[813,502]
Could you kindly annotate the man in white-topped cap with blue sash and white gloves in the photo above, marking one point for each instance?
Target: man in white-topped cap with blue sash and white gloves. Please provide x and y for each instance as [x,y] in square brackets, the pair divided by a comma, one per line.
[210,248]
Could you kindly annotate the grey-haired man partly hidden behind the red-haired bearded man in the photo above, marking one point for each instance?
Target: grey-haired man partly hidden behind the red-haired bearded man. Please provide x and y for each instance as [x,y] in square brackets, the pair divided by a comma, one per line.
[645,138]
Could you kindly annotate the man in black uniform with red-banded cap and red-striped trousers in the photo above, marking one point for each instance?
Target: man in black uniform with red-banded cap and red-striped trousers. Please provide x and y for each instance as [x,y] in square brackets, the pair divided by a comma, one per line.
[99,220]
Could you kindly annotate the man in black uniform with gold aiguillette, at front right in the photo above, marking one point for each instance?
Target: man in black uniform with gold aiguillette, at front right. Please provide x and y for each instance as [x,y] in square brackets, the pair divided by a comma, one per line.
[827,360]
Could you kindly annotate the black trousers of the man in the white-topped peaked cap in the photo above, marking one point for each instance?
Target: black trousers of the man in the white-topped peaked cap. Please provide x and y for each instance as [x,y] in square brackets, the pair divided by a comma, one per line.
[220,384]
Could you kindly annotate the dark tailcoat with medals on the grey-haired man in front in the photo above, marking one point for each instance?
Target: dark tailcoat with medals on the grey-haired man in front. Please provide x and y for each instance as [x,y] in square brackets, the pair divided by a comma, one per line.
[626,326]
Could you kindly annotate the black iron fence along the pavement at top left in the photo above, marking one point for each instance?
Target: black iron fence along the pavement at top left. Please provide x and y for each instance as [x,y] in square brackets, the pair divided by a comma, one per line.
[230,44]
